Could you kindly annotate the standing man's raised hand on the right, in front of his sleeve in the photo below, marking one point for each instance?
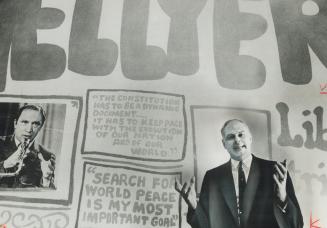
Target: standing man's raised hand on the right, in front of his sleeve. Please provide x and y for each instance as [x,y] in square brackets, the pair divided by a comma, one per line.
[280,177]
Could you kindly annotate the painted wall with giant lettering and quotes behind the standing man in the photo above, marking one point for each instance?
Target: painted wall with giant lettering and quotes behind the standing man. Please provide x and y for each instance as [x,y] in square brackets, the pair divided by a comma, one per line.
[148,84]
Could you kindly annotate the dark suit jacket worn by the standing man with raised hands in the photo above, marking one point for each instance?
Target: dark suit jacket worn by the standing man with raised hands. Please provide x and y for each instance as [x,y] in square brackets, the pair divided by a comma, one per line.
[217,207]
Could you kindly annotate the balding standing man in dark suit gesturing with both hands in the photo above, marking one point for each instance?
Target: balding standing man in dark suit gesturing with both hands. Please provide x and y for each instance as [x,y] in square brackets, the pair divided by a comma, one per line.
[245,192]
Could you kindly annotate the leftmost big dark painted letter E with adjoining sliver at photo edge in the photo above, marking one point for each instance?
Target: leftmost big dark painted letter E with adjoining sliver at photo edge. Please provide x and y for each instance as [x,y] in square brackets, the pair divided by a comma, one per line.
[29,60]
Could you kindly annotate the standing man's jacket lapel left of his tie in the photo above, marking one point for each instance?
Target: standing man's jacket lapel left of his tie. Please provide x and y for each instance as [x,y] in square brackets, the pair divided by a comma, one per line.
[228,190]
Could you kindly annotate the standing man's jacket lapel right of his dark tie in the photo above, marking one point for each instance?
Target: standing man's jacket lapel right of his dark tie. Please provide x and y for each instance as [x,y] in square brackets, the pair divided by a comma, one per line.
[251,188]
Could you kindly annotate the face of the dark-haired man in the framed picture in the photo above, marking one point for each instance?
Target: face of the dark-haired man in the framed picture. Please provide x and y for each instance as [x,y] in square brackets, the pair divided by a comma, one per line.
[28,125]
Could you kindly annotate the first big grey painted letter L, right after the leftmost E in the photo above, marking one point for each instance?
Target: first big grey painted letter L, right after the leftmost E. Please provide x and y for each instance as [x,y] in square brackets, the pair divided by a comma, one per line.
[89,55]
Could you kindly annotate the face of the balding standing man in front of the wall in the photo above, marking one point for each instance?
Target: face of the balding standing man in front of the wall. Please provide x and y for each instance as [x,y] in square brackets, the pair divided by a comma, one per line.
[237,140]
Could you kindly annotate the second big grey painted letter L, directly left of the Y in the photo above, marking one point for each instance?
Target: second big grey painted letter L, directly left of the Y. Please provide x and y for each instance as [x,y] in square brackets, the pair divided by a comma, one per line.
[138,60]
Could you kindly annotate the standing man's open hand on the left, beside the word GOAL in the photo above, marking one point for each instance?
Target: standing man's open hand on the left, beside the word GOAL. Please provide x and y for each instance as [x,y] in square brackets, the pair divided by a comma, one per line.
[187,191]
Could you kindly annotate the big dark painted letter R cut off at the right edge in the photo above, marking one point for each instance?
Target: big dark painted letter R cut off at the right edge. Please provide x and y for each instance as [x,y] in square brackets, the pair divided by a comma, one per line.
[295,32]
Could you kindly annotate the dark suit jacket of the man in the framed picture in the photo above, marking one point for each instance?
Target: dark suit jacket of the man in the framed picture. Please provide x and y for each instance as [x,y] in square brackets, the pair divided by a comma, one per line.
[31,173]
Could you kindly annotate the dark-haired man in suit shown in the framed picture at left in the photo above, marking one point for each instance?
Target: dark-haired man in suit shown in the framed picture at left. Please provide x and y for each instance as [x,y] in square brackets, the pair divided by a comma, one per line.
[23,163]
